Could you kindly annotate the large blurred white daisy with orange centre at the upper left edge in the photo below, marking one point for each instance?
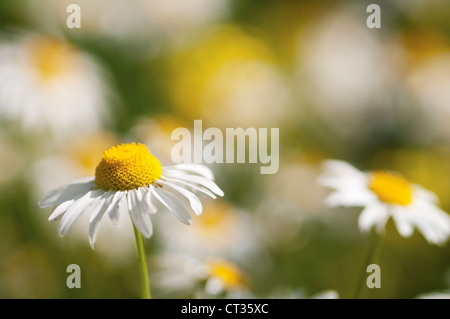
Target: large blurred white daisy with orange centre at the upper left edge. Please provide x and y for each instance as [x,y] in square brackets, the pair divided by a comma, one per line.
[47,85]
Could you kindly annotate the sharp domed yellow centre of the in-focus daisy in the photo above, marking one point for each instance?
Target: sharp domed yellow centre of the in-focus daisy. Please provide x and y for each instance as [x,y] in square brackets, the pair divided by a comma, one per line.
[127,167]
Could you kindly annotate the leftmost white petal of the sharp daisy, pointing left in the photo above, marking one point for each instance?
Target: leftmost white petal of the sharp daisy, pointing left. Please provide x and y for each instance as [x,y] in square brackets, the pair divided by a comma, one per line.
[66,193]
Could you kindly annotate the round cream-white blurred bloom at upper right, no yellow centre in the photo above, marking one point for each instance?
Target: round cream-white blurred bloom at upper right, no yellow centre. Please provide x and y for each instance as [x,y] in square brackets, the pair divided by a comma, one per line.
[342,69]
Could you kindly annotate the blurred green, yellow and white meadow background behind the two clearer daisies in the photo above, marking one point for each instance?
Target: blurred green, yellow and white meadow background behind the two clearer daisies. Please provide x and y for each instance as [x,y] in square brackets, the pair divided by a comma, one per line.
[137,69]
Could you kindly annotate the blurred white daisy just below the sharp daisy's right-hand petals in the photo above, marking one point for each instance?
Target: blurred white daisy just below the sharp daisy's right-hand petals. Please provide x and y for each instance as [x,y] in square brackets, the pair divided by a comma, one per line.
[222,230]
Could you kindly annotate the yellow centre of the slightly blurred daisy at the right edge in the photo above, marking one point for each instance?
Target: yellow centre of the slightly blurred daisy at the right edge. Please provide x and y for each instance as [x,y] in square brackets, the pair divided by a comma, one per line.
[391,188]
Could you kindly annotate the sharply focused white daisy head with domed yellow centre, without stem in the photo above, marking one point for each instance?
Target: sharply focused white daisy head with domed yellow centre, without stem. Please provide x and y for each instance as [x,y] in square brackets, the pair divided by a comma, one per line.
[130,180]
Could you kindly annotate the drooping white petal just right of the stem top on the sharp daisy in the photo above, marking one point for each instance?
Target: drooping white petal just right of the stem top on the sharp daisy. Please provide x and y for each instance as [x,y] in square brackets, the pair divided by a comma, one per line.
[137,207]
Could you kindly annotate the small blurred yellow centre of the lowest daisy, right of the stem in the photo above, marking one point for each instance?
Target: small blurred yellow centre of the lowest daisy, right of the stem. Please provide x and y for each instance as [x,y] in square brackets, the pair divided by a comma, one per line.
[227,272]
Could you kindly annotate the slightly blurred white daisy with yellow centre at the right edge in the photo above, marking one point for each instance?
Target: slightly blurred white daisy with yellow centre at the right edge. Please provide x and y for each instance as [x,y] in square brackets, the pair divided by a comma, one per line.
[385,194]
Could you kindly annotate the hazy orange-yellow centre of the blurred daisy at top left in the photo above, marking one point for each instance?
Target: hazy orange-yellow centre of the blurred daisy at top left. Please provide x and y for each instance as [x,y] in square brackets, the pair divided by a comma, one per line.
[51,57]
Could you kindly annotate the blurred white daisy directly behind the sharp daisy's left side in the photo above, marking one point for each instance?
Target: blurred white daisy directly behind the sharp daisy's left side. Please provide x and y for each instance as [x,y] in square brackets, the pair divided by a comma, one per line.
[63,162]
